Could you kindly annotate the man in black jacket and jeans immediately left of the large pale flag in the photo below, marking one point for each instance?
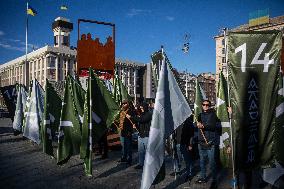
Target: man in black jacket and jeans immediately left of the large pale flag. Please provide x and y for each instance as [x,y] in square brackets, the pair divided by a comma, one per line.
[143,123]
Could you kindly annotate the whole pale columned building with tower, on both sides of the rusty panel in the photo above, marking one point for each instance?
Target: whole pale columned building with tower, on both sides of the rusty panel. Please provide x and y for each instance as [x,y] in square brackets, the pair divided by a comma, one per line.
[54,62]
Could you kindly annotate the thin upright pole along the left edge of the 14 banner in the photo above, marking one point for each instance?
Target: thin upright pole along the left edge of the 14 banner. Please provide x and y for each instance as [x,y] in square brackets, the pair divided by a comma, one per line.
[225,30]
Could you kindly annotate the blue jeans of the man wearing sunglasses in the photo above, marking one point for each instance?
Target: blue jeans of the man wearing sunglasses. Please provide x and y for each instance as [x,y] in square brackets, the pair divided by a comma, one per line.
[210,152]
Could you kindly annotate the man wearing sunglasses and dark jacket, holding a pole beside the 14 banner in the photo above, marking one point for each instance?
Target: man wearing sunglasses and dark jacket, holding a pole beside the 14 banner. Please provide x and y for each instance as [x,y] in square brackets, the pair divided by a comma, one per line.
[207,122]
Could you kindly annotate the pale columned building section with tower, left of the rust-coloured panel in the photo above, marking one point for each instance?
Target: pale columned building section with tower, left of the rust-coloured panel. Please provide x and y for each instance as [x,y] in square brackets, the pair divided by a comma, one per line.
[48,62]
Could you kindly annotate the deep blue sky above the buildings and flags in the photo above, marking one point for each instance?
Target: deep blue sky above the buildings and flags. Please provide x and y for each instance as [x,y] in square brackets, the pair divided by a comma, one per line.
[142,26]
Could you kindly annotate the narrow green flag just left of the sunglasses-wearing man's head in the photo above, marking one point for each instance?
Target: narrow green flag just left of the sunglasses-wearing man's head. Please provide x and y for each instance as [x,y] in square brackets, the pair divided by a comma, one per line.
[199,97]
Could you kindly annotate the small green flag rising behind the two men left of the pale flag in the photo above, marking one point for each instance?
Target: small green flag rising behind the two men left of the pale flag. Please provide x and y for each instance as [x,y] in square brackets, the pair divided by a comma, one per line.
[119,91]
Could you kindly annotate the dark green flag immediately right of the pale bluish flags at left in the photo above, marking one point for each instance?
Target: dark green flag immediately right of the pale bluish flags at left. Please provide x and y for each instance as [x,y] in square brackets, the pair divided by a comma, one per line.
[51,117]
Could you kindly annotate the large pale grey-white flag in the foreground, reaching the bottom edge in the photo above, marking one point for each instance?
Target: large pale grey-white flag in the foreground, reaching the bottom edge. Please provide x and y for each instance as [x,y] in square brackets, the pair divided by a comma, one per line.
[170,111]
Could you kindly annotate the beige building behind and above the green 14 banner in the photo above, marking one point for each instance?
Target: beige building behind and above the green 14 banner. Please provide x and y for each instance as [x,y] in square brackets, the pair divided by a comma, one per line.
[276,23]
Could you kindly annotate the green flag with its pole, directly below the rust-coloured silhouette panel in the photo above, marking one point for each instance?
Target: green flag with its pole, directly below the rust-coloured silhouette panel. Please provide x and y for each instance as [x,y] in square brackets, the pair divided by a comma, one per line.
[104,110]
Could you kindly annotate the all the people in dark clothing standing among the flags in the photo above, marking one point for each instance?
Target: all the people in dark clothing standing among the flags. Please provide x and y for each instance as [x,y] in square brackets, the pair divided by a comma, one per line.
[197,138]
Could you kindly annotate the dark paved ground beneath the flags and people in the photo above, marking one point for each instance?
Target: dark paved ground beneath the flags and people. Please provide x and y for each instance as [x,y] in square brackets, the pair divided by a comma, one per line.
[24,165]
